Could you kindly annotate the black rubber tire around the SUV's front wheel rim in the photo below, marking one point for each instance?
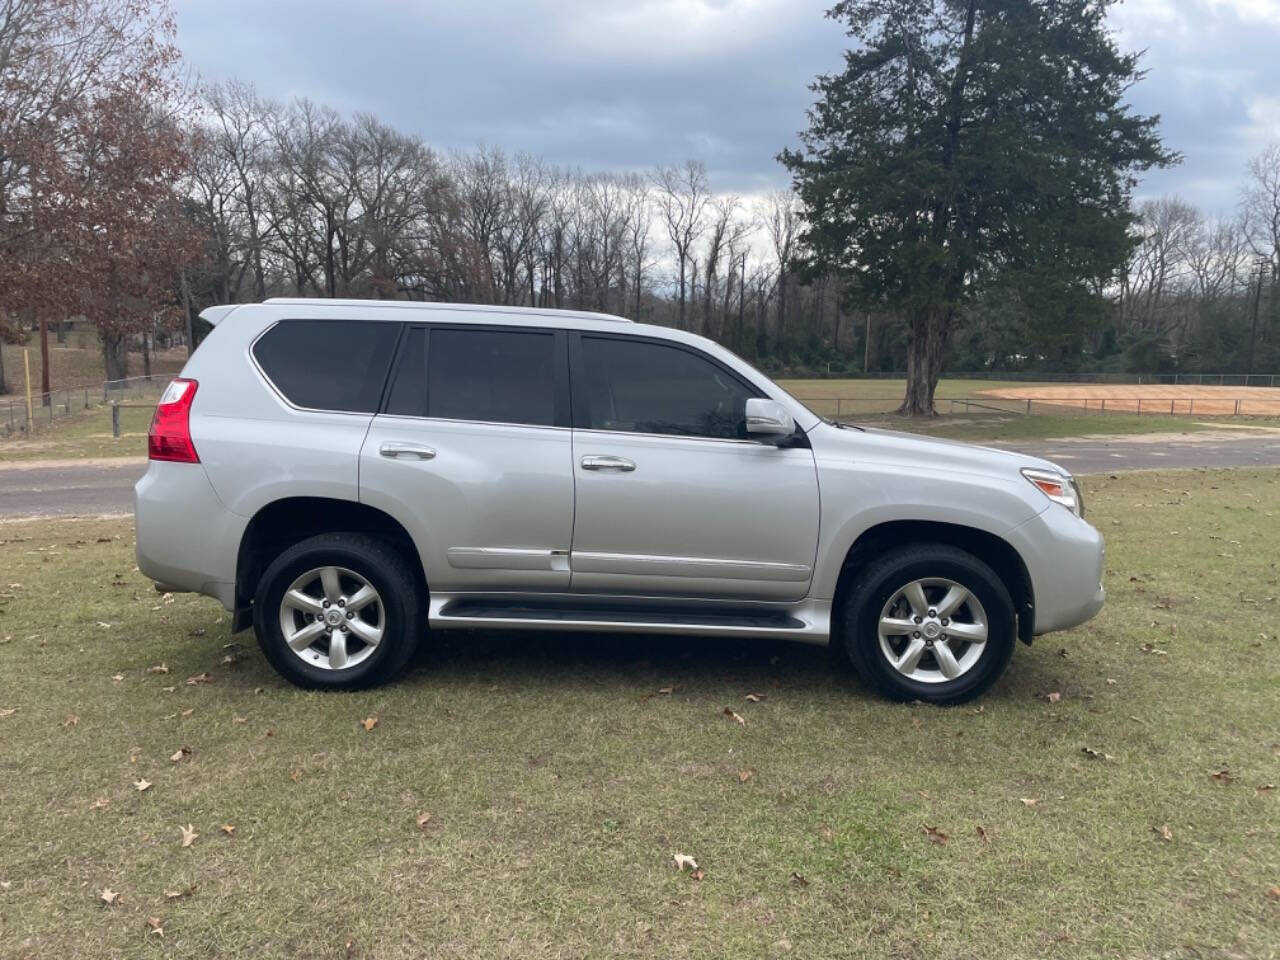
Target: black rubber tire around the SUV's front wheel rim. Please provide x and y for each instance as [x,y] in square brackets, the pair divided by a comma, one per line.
[876,584]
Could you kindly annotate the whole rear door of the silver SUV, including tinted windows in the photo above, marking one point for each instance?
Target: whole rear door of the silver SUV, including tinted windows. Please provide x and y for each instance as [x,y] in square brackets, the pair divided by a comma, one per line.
[473,452]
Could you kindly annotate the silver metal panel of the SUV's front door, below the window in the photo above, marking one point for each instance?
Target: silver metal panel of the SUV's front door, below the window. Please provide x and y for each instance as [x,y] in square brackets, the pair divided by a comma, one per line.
[696,516]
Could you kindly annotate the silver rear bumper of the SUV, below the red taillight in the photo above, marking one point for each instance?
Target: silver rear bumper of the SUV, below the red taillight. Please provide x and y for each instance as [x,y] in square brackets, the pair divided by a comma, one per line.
[186,538]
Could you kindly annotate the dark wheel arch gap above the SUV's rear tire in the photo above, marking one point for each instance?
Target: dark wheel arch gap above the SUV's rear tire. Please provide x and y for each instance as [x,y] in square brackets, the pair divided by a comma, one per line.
[281,524]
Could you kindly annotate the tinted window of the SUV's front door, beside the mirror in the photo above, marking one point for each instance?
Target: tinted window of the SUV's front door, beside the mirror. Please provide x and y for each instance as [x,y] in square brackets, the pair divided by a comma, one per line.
[656,390]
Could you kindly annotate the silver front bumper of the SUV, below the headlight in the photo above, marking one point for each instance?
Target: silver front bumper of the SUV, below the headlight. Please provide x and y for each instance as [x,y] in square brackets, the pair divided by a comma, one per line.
[1064,557]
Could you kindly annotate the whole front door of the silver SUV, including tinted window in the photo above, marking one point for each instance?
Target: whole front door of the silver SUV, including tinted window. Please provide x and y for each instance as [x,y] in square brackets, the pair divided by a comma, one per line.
[671,497]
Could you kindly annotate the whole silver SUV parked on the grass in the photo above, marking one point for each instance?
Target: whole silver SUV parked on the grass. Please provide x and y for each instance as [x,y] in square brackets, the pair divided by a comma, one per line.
[350,476]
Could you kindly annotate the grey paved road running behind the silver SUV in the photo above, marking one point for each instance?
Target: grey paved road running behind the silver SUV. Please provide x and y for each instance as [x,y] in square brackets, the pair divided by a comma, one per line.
[71,488]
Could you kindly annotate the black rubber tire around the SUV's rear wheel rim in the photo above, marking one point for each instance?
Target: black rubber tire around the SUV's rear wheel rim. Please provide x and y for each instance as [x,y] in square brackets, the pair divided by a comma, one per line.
[386,570]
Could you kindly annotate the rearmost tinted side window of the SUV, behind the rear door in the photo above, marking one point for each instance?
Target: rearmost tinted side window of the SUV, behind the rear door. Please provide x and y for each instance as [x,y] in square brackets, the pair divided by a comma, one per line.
[328,364]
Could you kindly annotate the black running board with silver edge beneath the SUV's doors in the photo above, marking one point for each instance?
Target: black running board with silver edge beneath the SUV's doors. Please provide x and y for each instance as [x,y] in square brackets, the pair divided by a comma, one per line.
[633,619]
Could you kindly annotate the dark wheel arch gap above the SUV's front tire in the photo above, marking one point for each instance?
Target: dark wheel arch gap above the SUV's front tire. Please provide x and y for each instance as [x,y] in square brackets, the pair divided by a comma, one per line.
[991,550]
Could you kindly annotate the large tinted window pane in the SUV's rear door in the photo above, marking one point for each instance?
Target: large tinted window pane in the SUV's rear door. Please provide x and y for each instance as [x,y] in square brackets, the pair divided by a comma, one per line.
[501,377]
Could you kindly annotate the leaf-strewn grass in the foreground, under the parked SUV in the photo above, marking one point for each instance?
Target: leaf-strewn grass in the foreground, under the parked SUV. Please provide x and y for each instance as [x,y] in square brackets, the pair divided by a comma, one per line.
[563,774]
